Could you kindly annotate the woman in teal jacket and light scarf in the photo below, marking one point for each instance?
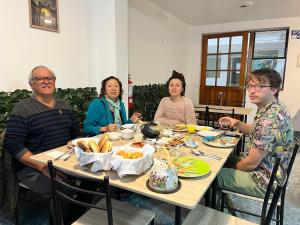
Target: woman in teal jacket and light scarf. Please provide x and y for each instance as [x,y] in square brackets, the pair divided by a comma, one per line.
[107,113]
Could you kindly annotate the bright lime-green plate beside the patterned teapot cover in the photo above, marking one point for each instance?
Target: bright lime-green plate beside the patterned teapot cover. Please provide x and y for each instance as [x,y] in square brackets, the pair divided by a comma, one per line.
[189,166]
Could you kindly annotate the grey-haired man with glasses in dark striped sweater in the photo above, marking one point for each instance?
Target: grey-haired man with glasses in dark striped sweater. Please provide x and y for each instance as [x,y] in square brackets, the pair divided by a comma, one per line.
[36,124]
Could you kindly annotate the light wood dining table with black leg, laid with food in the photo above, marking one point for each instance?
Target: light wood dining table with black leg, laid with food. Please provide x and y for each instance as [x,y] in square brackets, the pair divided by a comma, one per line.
[192,190]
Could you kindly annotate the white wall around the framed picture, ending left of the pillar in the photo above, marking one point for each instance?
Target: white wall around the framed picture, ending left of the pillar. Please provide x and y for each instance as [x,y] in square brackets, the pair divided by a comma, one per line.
[23,47]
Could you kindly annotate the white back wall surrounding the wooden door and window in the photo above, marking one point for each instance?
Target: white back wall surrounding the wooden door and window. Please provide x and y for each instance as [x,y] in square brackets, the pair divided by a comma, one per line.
[290,95]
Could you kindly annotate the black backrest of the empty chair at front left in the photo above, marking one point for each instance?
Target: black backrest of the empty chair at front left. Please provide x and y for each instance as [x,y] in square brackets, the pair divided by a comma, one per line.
[62,189]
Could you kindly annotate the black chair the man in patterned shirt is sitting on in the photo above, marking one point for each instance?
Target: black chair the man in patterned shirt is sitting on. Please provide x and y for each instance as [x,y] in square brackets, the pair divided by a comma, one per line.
[279,204]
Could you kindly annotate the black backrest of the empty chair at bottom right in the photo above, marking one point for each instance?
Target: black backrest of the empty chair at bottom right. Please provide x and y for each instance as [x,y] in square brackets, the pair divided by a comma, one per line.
[267,214]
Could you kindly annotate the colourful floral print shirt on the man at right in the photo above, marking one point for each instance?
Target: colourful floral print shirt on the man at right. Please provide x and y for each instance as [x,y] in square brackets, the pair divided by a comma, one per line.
[272,131]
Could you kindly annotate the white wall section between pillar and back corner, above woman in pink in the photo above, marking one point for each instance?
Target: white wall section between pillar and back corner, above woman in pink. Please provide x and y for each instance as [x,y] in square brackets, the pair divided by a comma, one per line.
[158,43]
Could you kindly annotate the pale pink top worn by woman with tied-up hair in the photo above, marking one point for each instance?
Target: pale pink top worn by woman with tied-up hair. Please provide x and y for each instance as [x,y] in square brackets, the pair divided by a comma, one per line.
[171,113]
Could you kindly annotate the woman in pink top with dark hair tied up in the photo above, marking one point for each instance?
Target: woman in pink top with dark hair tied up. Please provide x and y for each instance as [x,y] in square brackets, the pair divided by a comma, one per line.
[176,108]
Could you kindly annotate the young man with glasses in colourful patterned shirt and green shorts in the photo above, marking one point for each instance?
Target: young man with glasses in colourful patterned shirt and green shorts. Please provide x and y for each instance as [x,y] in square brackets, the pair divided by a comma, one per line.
[270,134]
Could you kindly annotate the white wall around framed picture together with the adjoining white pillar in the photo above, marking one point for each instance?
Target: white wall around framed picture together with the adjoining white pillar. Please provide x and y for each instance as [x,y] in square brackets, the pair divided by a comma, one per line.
[91,45]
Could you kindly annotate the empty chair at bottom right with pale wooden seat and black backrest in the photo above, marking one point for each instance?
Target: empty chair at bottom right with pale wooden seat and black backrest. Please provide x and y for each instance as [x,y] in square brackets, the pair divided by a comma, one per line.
[202,215]
